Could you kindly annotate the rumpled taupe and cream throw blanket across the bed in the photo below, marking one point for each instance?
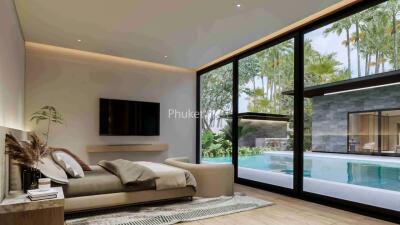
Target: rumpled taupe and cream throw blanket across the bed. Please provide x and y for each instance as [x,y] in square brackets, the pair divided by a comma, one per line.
[164,176]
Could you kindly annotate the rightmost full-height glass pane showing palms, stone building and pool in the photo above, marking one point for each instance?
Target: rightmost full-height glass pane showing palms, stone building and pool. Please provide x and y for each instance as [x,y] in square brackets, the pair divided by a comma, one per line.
[348,135]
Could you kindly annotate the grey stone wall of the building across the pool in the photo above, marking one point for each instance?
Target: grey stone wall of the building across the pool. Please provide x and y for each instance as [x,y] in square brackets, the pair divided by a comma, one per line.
[329,119]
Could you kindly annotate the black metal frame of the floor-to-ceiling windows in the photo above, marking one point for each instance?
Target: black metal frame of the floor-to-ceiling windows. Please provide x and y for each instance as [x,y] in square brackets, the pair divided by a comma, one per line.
[298,151]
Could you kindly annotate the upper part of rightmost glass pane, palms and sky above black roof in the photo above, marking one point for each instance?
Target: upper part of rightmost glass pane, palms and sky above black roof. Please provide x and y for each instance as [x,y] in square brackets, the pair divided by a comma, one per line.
[364,44]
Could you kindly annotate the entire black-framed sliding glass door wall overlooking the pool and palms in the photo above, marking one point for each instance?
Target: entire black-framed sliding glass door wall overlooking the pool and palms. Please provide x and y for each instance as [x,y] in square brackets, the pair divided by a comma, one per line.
[314,113]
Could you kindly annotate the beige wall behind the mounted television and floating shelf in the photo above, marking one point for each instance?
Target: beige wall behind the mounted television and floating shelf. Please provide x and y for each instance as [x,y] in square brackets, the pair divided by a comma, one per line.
[73,81]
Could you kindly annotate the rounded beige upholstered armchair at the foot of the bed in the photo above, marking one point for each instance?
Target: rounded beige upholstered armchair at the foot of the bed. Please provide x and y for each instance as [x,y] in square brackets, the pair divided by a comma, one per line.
[213,180]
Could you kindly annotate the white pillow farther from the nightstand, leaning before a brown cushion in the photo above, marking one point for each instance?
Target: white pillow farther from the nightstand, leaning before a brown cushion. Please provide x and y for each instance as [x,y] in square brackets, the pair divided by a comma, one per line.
[69,164]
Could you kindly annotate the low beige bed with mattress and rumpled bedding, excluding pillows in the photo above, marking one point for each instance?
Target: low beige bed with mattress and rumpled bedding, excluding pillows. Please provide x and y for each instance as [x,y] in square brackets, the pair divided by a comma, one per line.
[122,182]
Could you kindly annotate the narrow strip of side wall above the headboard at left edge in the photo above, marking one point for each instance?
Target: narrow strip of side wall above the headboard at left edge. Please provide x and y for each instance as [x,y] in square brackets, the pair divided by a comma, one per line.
[12,67]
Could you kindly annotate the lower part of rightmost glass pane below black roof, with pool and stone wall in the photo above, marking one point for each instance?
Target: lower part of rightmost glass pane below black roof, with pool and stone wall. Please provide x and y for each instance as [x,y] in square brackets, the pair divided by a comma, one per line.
[369,168]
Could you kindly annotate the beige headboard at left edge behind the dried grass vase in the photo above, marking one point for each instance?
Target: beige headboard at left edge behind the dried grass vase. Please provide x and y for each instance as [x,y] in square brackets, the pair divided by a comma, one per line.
[4,161]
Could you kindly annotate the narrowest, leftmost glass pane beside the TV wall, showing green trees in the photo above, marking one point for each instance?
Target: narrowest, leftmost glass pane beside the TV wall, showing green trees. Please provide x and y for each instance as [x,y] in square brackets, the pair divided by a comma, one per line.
[215,118]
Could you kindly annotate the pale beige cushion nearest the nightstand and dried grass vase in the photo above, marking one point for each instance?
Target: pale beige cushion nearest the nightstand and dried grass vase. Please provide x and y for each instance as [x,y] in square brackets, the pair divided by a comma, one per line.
[53,171]
